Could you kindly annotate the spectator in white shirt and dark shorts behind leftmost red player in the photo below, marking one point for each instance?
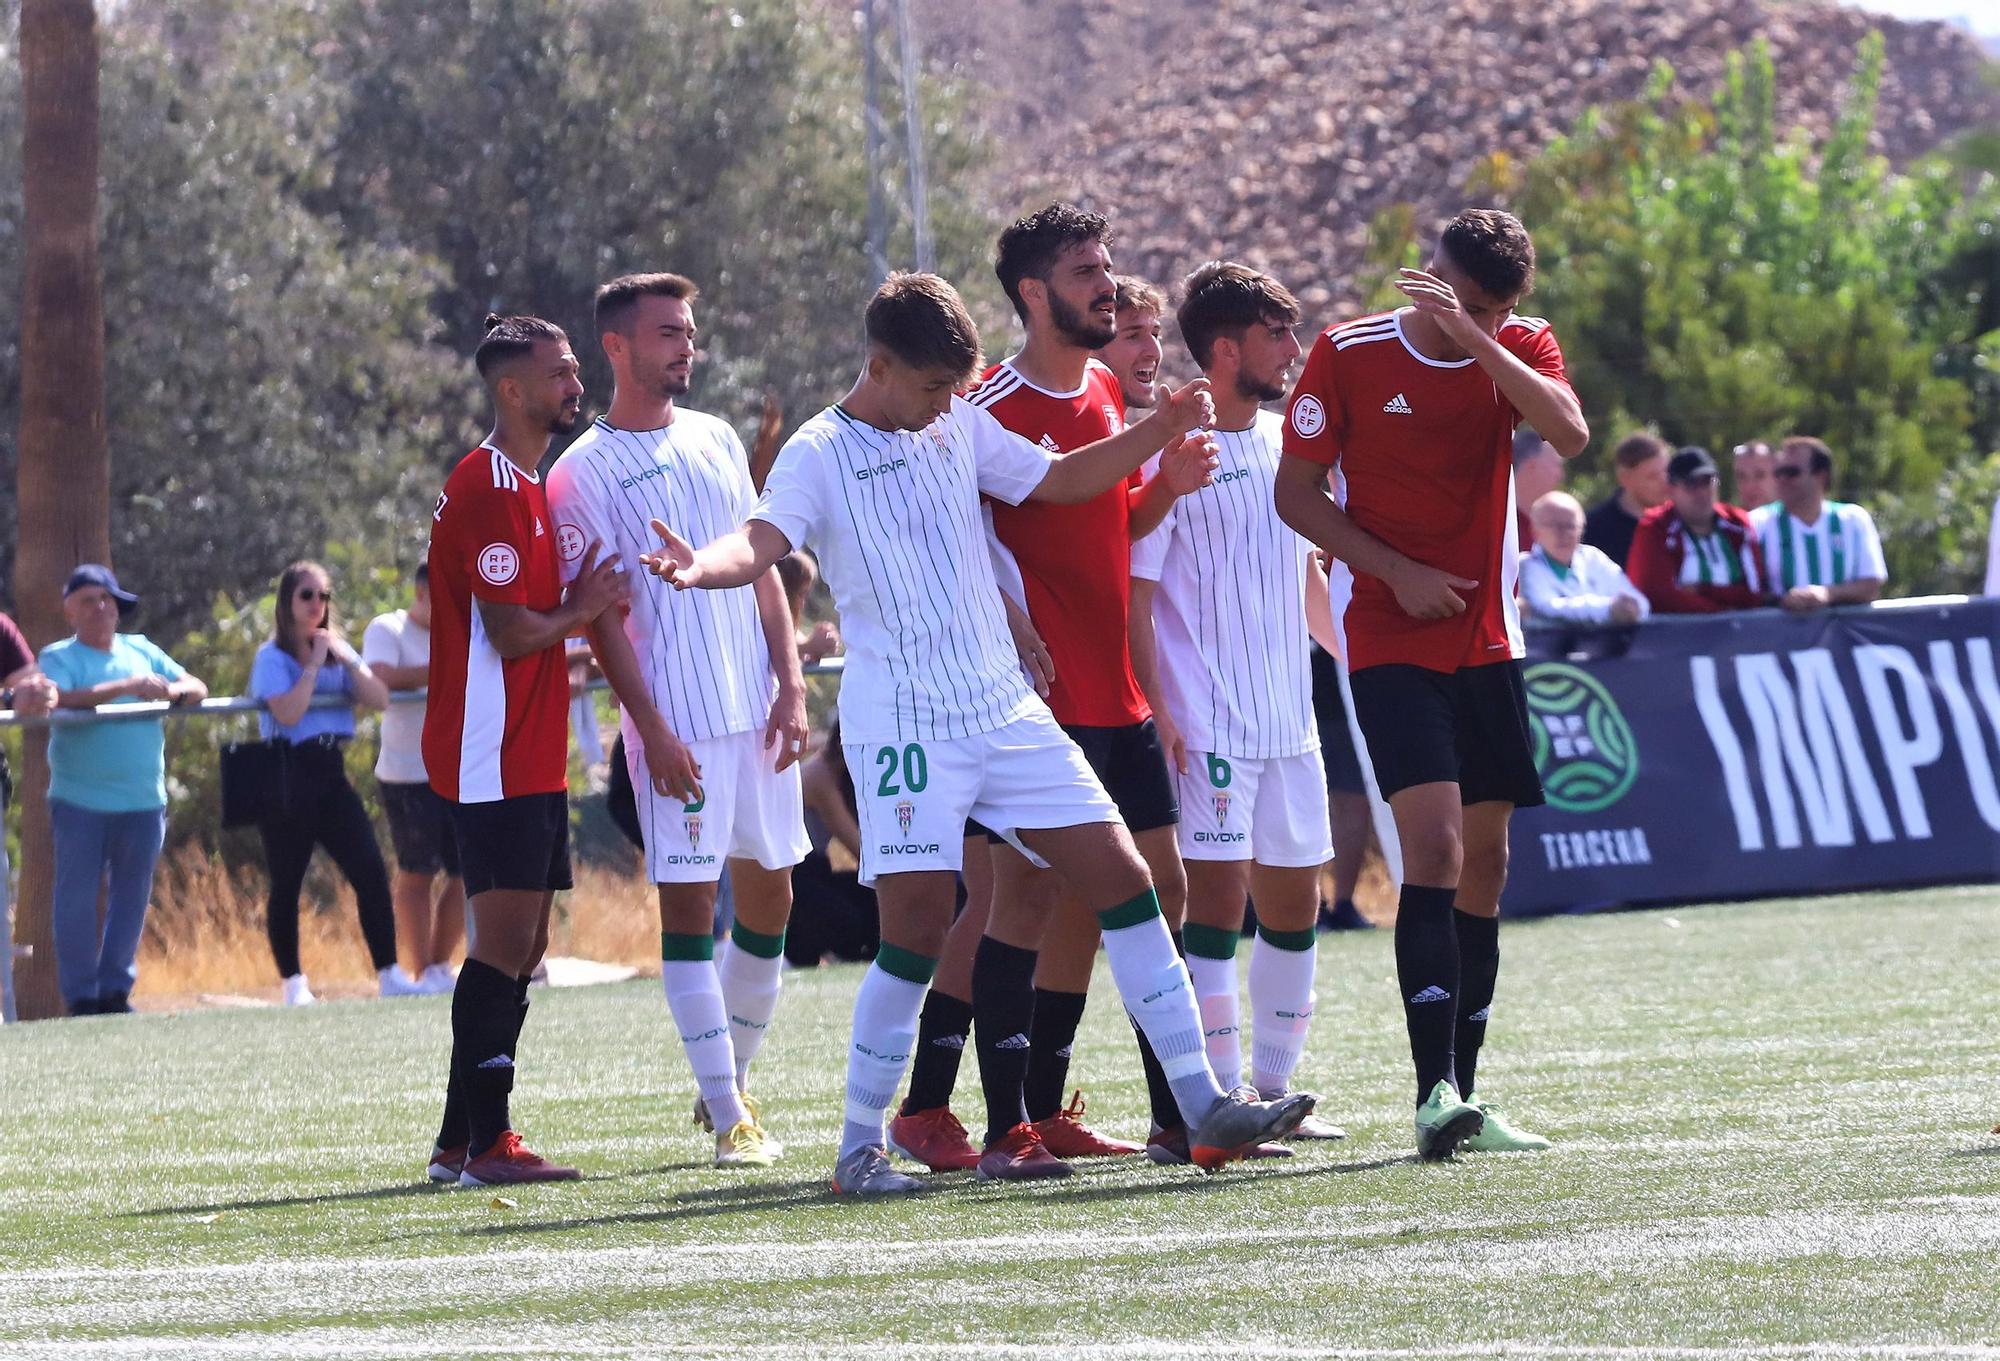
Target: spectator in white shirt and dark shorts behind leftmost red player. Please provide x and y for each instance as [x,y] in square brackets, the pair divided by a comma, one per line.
[431,916]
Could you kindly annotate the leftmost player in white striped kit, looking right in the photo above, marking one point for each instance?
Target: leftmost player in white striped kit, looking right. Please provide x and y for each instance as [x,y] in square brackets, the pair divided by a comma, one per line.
[713,696]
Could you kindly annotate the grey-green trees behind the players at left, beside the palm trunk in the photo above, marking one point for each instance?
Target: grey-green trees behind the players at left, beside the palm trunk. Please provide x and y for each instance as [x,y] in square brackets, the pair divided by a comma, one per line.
[311,205]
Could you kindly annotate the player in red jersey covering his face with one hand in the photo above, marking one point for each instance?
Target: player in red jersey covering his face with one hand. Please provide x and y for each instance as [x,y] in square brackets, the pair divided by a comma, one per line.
[1413,413]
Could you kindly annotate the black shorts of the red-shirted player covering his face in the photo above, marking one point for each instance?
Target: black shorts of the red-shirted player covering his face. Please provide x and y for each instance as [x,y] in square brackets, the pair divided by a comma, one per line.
[1465,728]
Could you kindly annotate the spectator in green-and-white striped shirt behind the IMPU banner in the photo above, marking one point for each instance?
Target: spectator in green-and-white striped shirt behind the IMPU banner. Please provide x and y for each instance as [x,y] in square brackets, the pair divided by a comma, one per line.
[1817,551]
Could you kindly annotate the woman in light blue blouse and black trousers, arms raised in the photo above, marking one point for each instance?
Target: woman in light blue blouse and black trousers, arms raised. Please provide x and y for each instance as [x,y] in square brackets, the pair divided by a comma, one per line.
[307,659]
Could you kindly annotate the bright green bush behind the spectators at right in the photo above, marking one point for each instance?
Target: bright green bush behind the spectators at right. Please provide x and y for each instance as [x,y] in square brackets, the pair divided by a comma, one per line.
[1721,283]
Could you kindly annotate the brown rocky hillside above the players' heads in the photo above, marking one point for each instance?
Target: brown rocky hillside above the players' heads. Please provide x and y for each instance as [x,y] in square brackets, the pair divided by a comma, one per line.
[1277,129]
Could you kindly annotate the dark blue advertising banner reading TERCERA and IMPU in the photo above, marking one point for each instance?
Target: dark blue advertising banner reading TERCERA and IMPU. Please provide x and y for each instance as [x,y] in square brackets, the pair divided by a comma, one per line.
[1763,754]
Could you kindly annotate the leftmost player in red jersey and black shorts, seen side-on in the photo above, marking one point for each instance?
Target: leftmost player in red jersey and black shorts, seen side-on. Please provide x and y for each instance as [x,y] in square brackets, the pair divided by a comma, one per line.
[497,730]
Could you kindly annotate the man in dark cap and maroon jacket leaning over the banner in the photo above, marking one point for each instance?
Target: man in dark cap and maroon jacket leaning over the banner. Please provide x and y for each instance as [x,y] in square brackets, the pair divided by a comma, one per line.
[1695,555]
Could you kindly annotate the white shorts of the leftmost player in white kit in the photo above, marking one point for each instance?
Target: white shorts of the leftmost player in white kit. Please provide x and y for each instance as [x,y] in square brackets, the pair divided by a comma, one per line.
[747,812]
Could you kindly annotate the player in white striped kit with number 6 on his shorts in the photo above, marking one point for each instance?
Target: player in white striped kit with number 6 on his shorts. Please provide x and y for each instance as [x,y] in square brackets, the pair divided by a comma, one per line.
[1233,661]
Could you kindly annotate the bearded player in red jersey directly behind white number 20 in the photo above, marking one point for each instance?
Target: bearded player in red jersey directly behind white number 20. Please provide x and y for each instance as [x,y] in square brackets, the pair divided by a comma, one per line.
[1067,569]
